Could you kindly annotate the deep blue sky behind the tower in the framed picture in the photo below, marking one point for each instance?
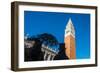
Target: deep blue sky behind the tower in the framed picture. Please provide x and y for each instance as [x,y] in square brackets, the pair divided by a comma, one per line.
[54,23]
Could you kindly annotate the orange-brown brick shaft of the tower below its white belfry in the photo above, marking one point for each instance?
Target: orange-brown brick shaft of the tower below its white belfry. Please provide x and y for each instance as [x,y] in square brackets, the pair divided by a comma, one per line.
[70,47]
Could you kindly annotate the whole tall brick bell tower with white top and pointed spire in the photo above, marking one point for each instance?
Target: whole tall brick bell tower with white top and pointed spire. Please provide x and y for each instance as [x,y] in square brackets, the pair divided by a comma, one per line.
[69,40]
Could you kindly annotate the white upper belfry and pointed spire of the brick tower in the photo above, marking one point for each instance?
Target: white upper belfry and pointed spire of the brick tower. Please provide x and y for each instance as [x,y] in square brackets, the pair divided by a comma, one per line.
[70,28]
